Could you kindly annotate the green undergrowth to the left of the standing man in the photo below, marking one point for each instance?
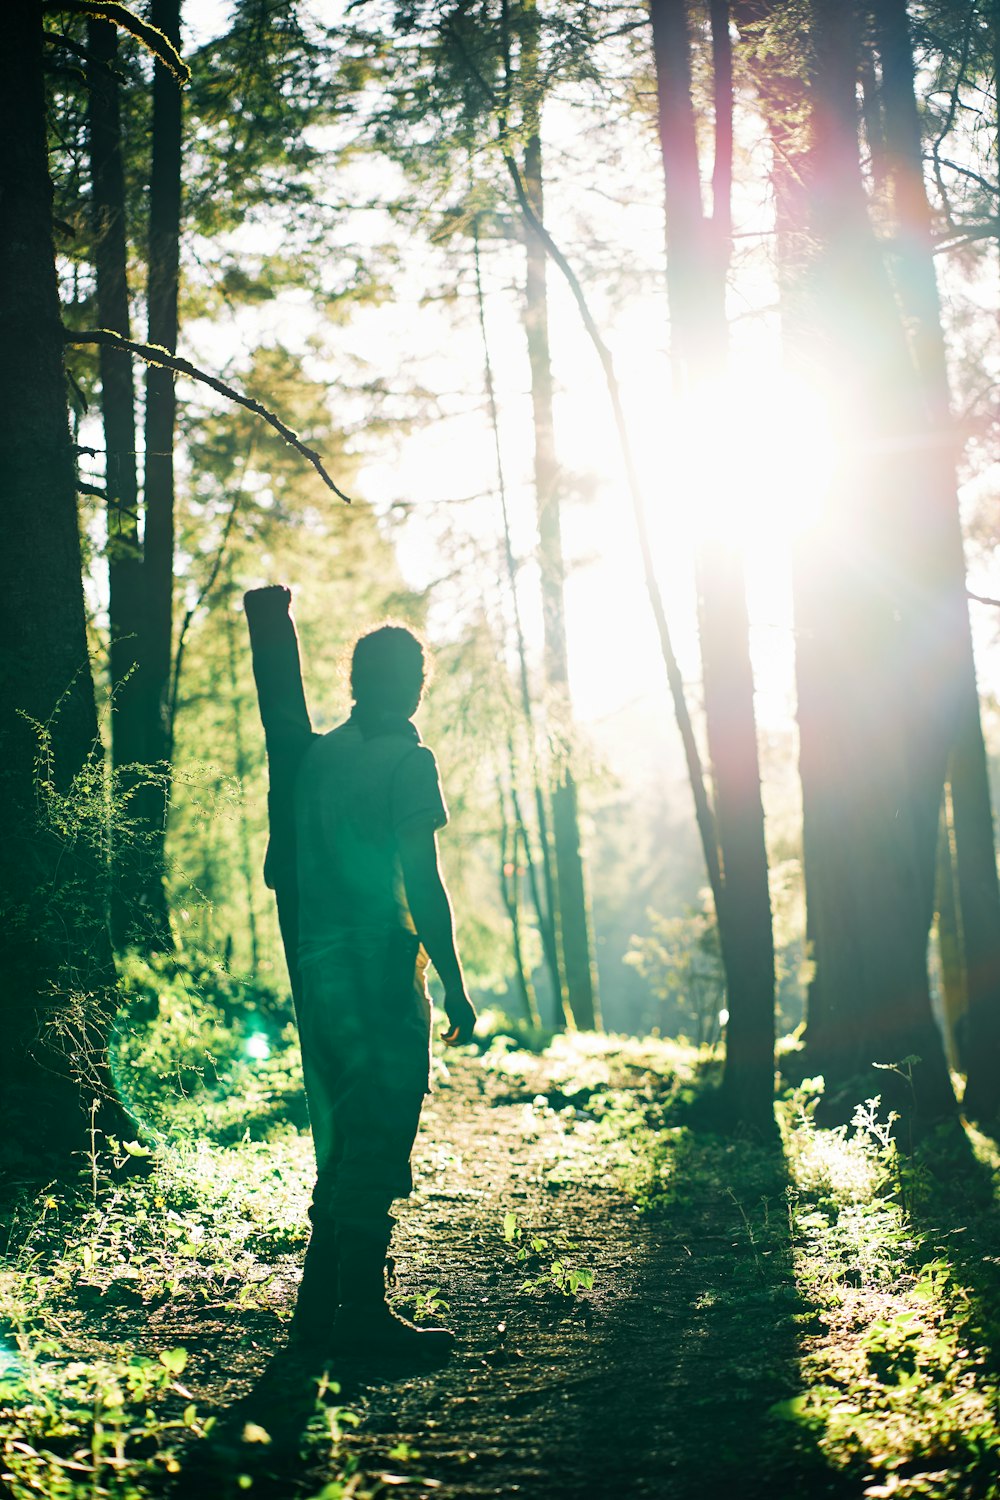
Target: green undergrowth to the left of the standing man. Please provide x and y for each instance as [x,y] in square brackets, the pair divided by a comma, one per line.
[206,1234]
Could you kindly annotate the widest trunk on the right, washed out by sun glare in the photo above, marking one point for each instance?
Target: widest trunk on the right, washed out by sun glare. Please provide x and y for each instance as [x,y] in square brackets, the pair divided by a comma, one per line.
[866,607]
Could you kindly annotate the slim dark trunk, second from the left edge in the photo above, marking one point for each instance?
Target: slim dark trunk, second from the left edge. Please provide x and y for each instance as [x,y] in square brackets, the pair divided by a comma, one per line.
[118,409]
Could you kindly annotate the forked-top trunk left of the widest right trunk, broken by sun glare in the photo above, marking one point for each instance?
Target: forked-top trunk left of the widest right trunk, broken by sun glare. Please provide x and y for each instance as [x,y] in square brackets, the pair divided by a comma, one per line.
[696,289]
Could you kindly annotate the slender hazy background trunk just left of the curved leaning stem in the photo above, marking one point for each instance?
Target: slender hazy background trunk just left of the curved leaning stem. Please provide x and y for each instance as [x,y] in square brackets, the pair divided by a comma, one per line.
[575,928]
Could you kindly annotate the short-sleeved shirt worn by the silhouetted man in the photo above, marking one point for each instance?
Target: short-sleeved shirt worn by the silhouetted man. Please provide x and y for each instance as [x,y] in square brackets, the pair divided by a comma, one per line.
[355,797]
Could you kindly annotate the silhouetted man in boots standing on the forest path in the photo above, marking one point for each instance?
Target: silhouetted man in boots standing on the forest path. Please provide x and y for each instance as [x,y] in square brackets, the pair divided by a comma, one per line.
[373,907]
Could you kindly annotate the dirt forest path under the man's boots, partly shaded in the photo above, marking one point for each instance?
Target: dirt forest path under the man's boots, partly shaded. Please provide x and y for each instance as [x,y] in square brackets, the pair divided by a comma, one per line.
[656,1382]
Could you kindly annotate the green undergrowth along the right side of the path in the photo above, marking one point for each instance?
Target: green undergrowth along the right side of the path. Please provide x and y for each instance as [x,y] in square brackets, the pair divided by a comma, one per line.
[887,1267]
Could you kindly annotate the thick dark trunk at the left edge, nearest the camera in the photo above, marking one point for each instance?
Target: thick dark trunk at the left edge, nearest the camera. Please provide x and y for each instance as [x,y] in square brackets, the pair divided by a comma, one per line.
[56,967]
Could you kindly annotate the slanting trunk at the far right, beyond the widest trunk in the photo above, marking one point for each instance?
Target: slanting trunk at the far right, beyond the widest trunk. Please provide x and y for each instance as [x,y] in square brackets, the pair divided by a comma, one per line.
[944,563]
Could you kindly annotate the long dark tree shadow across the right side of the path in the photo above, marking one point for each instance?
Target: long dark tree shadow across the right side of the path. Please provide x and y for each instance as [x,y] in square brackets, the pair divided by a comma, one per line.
[707,1342]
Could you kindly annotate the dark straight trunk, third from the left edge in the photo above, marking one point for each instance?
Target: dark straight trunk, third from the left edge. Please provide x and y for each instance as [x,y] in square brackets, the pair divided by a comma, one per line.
[158,562]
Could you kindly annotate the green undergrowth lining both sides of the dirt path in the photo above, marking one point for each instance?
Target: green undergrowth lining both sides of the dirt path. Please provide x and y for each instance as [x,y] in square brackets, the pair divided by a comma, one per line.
[846,1292]
